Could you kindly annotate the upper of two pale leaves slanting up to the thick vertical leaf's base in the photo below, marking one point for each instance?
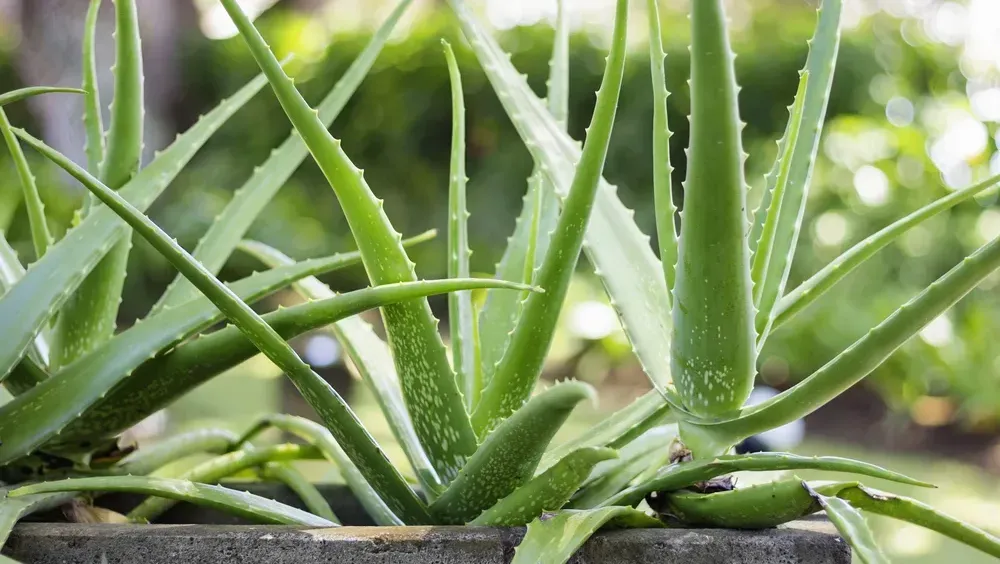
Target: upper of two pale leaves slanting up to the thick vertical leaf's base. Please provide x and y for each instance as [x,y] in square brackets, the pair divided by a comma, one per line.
[616,430]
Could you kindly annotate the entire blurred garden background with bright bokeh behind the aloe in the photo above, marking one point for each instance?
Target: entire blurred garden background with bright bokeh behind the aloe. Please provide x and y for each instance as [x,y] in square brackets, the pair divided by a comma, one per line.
[914,114]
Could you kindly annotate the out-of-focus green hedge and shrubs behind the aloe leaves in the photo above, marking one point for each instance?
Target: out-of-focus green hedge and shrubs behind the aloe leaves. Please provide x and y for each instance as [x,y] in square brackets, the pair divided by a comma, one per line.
[397,128]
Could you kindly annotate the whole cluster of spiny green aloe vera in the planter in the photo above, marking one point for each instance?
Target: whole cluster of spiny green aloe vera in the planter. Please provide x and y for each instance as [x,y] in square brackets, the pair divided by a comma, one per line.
[477,438]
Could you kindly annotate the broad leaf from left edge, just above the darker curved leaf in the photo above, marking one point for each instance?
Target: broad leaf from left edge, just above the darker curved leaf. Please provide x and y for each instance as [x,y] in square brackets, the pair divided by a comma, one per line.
[40,414]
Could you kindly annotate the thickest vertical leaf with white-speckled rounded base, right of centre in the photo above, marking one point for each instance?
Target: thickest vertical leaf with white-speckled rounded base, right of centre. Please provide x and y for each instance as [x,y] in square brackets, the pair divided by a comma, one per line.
[713,351]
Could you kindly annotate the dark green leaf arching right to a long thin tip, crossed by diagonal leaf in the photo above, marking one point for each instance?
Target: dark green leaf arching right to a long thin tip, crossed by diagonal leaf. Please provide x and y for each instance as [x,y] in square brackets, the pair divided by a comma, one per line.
[158,381]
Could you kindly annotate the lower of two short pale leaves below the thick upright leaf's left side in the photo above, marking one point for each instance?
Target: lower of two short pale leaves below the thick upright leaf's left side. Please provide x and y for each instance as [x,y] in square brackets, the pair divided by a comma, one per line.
[643,456]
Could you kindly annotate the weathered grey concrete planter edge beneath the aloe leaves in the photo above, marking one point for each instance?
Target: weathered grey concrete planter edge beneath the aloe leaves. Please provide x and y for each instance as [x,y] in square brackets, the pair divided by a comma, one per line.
[190,535]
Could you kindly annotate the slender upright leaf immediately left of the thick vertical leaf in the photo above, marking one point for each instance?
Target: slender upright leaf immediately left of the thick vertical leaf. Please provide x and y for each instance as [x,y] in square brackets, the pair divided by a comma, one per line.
[663,197]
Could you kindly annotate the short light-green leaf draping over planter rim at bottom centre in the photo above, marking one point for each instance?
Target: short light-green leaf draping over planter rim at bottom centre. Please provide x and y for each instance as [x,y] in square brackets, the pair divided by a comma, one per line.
[554,538]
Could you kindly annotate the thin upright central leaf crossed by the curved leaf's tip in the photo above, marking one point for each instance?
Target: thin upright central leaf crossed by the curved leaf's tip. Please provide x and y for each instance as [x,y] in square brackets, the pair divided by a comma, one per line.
[460,310]
